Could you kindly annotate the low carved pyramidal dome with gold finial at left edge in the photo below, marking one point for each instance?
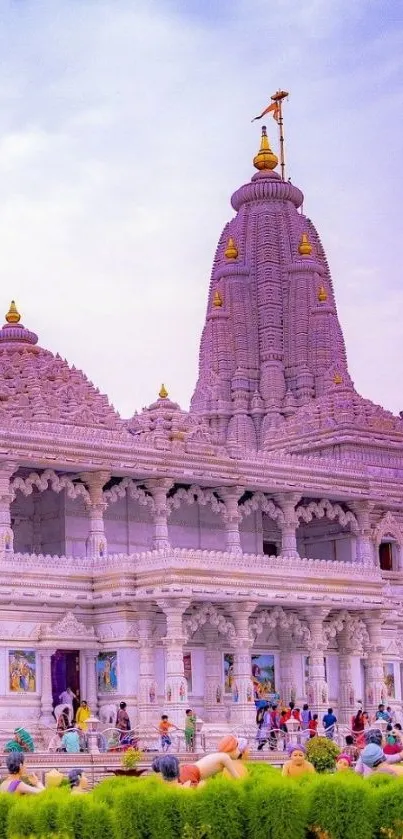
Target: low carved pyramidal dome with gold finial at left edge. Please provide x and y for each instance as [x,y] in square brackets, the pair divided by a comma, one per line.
[37,386]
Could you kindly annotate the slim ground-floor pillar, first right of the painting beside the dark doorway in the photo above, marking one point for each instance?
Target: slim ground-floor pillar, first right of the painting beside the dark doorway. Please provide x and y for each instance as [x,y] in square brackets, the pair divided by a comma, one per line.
[147,690]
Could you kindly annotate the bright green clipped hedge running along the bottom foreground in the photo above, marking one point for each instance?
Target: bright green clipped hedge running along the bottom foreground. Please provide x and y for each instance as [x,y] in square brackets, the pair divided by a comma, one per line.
[263,806]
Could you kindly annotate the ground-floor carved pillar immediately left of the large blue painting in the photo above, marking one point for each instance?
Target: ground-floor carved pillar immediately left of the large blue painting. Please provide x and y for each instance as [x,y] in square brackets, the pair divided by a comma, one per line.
[243,710]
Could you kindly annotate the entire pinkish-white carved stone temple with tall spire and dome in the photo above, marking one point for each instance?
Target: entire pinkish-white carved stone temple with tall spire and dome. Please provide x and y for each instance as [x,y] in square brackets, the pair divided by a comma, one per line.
[249,547]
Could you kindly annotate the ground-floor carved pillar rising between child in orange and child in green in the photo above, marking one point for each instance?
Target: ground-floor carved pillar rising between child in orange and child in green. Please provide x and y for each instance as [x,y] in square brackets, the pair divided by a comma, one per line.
[176,697]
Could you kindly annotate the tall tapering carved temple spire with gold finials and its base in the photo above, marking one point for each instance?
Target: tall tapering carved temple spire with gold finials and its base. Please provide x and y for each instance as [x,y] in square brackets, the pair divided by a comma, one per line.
[272,355]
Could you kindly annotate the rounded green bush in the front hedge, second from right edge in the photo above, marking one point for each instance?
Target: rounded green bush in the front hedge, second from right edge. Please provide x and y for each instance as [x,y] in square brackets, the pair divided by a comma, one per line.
[340,806]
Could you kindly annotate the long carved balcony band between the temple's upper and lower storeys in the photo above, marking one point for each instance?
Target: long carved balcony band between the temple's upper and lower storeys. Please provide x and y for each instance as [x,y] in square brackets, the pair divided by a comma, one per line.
[122,578]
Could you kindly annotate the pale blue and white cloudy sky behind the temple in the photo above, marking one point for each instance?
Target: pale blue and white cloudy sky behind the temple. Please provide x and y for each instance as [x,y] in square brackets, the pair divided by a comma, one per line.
[126,126]
